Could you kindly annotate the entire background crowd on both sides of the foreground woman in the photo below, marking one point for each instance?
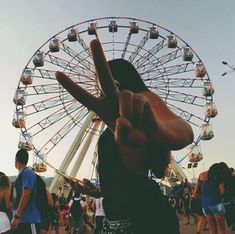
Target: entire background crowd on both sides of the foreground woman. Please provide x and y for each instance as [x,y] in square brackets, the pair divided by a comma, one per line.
[207,202]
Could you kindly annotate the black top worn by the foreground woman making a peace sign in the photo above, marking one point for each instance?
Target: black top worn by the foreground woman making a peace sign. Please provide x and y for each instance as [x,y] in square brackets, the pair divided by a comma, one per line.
[128,195]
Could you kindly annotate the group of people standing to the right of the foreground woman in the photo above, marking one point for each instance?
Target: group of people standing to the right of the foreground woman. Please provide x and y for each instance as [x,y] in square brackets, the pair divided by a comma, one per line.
[210,202]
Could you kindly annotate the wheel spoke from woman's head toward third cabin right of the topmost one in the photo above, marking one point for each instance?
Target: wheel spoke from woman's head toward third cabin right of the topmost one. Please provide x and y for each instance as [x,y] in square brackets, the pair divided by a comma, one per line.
[147,56]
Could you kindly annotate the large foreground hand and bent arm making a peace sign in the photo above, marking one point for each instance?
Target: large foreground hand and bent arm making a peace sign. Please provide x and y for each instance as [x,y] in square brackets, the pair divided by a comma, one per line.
[134,118]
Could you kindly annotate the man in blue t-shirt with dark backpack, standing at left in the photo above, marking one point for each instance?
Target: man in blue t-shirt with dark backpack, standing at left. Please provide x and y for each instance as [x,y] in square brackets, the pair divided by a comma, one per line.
[26,217]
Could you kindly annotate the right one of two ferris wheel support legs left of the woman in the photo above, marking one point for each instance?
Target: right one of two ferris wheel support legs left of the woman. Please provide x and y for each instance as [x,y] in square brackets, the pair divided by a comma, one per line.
[84,150]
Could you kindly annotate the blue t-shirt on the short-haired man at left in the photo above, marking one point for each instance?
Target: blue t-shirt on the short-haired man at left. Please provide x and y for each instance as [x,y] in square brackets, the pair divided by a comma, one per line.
[27,179]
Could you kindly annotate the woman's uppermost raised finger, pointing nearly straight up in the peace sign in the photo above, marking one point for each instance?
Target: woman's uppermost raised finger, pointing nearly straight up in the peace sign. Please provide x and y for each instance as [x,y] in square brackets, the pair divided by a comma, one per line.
[102,69]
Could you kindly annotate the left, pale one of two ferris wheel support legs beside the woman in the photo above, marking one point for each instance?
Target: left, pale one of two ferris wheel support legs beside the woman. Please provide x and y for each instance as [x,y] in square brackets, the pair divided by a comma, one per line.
[56,182]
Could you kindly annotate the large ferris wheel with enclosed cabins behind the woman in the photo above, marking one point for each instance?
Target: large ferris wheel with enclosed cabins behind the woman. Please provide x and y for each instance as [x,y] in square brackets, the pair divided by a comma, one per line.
[56,127]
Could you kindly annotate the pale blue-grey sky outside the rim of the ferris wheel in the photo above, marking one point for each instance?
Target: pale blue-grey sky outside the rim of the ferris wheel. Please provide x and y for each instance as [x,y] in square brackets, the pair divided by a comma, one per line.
[207,25]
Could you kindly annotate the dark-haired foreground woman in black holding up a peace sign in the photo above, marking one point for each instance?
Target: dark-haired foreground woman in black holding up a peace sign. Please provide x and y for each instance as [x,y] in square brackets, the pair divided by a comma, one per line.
[141,132]
